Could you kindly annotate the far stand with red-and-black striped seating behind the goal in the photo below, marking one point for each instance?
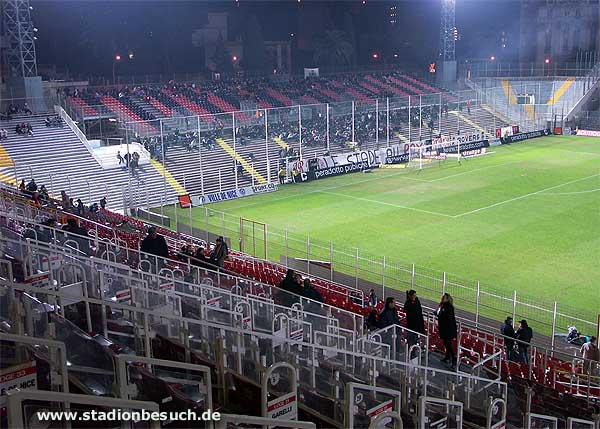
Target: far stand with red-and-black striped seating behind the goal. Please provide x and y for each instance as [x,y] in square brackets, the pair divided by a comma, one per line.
[254,155]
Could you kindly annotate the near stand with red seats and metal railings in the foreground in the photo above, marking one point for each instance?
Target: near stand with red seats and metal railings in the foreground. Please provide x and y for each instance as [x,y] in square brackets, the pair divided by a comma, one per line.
[327,342]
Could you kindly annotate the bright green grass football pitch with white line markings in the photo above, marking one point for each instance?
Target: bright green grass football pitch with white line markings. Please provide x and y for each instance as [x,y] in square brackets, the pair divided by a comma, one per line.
[524,218]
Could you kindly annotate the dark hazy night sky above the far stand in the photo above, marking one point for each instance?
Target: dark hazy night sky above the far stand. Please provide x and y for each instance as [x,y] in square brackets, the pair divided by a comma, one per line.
[84,36]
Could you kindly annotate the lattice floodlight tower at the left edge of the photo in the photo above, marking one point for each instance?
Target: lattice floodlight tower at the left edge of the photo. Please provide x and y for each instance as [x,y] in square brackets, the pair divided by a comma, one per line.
[18,35]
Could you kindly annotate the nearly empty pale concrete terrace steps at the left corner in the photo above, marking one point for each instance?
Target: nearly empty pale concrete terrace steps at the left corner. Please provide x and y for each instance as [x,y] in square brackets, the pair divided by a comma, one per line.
[55,157]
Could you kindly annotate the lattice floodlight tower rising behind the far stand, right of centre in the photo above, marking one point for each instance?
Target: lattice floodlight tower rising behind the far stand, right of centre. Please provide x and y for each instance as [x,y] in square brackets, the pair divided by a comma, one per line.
[448,34]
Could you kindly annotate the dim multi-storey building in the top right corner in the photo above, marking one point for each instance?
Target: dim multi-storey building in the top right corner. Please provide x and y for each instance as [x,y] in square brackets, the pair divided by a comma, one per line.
[558,30]
